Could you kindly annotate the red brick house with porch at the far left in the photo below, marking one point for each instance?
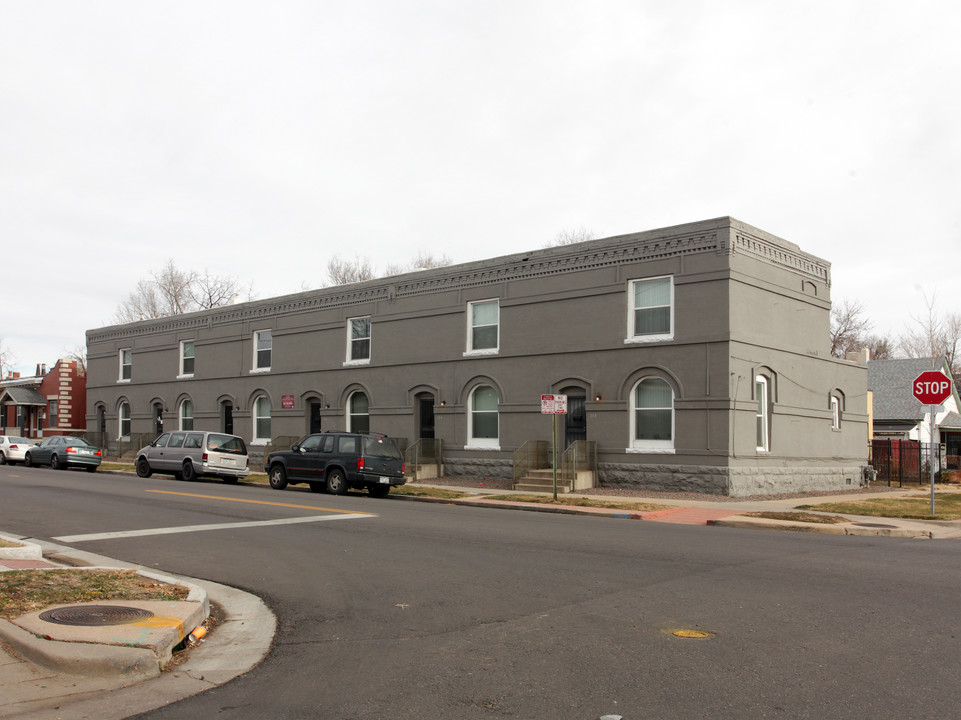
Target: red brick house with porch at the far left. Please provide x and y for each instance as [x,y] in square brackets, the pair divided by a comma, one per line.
[47,403]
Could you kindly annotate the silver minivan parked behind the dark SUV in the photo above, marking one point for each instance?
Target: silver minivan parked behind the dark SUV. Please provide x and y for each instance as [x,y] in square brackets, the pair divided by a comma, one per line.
[189,455]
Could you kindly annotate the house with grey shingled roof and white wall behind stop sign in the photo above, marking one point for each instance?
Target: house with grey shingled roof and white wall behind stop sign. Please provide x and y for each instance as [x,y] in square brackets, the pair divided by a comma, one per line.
[898,415]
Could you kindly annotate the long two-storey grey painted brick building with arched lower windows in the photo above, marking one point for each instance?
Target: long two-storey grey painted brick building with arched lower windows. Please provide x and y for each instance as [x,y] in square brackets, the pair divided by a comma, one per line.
[696,357]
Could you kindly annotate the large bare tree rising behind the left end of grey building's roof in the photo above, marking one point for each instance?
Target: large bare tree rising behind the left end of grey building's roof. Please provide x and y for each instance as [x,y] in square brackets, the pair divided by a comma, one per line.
[172,291]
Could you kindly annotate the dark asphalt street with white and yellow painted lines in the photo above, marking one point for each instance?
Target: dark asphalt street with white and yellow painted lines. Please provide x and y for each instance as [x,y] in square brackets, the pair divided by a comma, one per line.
[395,609]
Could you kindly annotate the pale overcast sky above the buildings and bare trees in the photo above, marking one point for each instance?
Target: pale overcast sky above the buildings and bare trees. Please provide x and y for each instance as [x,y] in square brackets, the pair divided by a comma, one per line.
[258,139]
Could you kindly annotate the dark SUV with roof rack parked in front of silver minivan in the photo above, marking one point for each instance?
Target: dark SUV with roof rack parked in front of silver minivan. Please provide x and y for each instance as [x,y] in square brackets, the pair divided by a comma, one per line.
[337,461]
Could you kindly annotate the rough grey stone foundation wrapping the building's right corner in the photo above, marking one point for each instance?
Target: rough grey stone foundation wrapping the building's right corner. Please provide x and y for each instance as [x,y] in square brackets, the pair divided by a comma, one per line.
[735,482]
